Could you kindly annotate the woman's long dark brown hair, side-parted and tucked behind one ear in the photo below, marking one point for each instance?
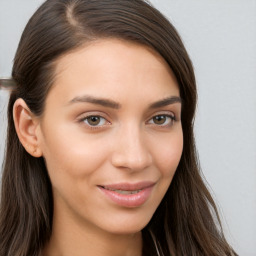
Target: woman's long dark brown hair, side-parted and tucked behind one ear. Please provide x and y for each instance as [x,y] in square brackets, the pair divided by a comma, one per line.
[186,222]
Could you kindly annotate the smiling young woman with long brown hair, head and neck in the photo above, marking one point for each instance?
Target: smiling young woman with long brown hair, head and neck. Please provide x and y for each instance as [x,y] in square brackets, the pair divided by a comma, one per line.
[100,154]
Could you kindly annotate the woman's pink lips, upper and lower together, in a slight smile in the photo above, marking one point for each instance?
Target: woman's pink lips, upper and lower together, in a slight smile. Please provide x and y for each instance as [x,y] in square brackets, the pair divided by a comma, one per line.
[140,192]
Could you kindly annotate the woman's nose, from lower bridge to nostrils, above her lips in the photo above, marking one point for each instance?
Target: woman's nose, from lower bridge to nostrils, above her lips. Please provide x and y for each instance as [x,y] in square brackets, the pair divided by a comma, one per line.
[131,150]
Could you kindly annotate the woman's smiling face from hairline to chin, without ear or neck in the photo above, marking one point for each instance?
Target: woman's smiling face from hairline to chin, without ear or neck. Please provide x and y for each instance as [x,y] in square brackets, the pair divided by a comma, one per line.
[111,135]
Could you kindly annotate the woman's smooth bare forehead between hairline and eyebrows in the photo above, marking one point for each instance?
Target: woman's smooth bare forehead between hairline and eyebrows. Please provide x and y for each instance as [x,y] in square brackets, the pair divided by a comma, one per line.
[114,68]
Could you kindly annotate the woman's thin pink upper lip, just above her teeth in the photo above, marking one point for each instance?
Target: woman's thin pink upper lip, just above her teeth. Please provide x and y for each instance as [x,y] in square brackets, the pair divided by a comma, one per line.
[129,186]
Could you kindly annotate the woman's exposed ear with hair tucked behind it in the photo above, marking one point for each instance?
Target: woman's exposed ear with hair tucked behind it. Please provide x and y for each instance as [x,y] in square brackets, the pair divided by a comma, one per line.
[26,125]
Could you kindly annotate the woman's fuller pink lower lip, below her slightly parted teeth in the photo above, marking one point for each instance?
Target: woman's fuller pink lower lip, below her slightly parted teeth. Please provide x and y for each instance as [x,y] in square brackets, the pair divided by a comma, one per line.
[128,200]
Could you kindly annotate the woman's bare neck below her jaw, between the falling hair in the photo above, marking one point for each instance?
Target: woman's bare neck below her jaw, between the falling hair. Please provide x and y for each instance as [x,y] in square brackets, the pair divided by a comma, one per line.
[69,238]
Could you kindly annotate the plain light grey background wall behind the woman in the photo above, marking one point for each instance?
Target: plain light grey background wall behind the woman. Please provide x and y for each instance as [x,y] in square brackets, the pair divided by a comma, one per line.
[221,39]
